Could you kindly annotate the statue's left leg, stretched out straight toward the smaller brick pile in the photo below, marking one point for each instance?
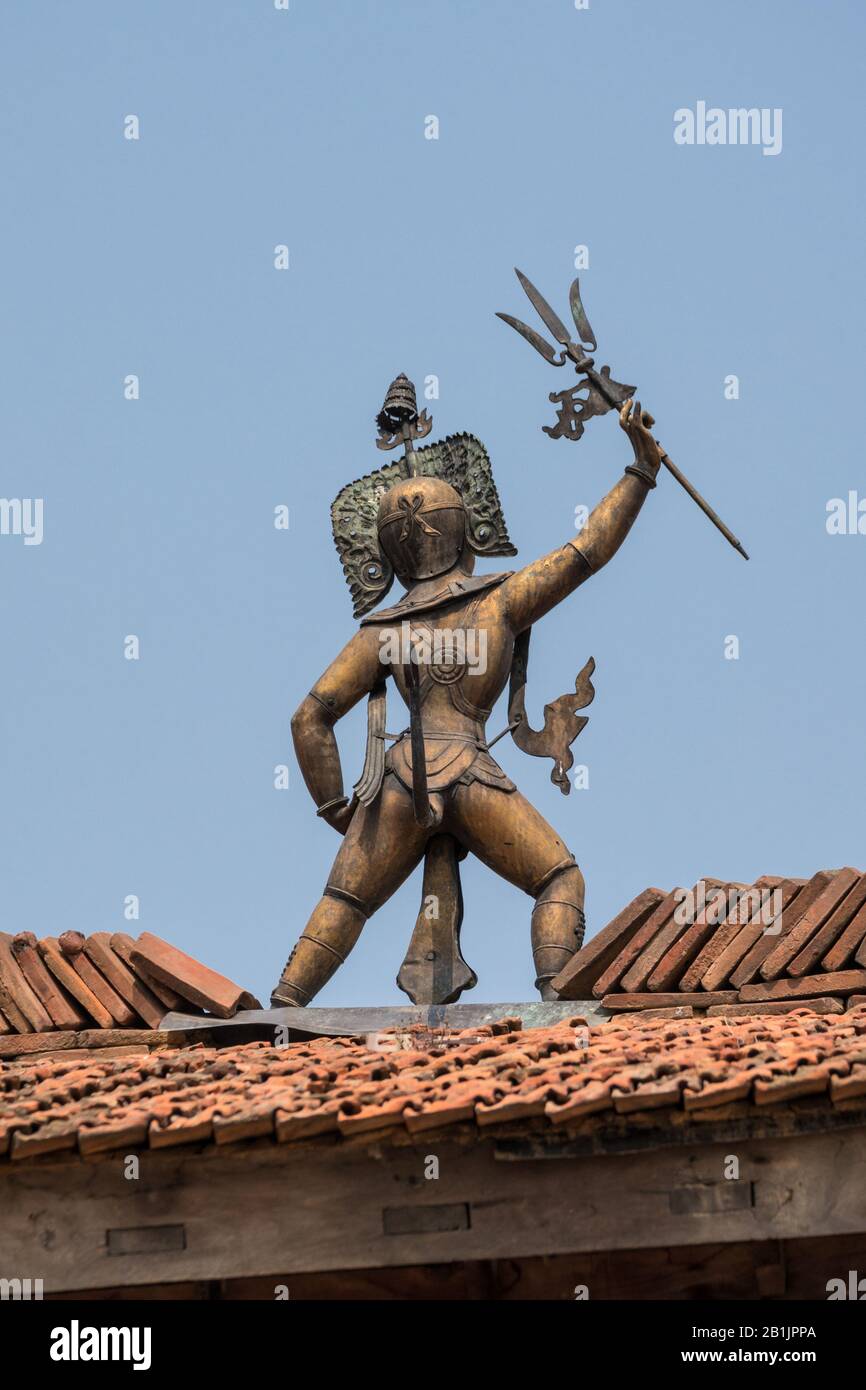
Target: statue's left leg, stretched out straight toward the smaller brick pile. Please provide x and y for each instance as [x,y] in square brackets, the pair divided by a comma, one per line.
[382,847]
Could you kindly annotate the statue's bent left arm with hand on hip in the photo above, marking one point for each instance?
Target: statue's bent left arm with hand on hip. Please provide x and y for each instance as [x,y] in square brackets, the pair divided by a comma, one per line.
[351,676]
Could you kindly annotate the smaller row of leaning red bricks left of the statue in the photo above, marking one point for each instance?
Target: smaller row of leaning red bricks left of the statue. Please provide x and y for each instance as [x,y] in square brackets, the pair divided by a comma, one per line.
[111,982]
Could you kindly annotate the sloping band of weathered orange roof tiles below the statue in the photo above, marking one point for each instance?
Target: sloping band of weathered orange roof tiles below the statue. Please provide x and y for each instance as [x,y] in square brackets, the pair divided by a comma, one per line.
[395,1086]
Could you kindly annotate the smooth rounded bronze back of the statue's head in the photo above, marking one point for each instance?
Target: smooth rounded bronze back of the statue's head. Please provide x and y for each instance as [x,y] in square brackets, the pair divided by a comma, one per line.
[422,528]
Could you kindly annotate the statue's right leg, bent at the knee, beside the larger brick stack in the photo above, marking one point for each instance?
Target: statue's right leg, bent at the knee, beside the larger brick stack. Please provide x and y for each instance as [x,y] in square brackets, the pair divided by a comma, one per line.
[508,835]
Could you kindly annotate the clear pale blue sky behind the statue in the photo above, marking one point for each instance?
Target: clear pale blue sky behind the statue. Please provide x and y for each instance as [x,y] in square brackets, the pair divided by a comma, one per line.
[258,389]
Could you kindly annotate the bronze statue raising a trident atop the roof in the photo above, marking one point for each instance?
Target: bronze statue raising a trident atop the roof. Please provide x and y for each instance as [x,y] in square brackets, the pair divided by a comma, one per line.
[451,644]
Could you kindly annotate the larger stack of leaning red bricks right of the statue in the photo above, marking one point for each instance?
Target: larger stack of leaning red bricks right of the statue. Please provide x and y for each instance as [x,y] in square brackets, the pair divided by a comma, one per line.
[767,945]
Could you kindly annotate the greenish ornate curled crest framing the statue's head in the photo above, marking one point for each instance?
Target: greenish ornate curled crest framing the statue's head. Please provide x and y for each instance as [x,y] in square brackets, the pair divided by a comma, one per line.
[464,462]
